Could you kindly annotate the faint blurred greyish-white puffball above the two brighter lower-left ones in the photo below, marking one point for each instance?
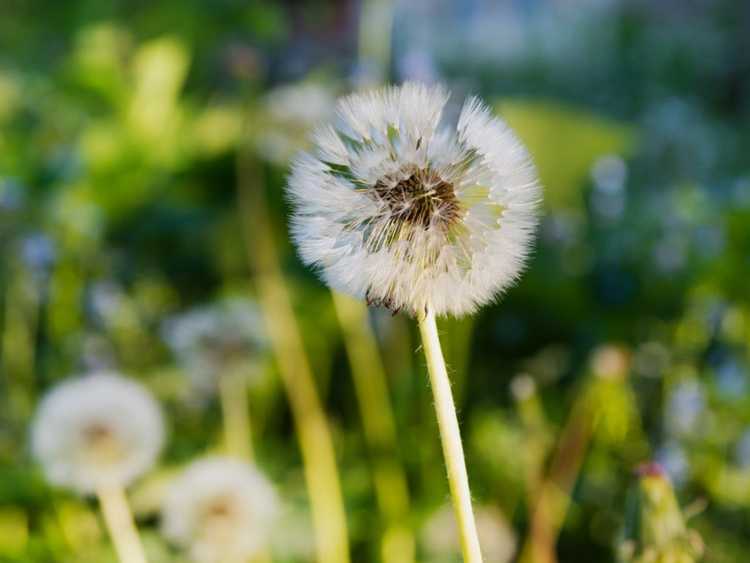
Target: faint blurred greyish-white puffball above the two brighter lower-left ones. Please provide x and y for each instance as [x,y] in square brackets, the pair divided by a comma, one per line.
[221,339]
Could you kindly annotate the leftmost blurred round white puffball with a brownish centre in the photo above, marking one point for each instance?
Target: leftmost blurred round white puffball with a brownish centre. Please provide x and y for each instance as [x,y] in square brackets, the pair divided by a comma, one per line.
[97,431]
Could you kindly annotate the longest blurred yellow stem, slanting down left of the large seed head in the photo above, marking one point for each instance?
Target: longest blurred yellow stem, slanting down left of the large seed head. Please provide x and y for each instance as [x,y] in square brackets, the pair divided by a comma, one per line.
[316,442]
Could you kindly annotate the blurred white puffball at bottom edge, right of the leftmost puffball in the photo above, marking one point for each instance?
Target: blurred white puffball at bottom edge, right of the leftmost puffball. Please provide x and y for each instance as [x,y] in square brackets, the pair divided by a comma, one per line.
[220,509]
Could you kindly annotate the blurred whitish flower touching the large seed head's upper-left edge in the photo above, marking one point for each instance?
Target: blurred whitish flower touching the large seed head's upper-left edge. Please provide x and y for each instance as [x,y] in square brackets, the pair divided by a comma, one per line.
[292,112]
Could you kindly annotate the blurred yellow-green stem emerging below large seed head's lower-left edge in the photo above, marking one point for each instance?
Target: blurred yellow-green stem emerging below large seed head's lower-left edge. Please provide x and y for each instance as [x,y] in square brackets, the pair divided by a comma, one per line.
[371,390]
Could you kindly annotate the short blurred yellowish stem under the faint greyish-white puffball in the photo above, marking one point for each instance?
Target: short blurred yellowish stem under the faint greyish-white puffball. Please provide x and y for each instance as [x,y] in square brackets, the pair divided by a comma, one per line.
[235,409]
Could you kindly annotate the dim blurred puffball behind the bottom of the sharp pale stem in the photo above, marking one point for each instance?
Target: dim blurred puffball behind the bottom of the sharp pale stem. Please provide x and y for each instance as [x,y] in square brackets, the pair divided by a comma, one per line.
[441,542]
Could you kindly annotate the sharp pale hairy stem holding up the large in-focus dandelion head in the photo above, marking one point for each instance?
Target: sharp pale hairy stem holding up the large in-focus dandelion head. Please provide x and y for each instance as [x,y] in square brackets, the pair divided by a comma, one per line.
[450,437]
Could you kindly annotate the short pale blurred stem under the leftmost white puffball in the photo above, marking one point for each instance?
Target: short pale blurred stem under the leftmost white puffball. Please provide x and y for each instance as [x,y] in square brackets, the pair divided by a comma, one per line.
[121,526]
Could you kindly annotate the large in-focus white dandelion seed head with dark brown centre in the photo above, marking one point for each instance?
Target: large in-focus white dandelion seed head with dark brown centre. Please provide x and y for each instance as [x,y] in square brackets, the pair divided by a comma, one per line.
[397,208]
